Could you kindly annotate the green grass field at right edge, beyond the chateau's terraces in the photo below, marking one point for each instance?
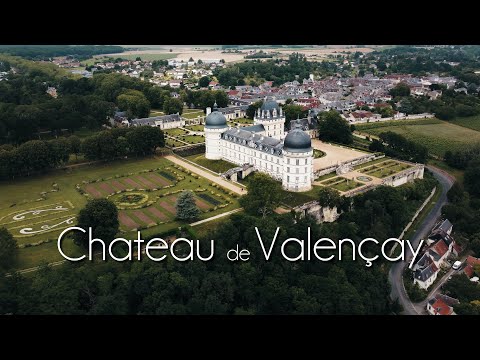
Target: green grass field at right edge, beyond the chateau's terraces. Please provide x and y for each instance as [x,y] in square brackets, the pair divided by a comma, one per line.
[438,136]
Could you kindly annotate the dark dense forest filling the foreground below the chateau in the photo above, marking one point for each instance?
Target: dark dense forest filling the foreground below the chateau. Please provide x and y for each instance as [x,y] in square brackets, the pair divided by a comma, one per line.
[223,287]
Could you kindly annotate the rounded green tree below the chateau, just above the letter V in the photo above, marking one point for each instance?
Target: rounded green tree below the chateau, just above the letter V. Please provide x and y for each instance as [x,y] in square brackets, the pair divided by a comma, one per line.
[264,195]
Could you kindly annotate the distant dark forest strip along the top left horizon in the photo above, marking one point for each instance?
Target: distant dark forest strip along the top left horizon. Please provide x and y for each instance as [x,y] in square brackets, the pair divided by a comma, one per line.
[44,52]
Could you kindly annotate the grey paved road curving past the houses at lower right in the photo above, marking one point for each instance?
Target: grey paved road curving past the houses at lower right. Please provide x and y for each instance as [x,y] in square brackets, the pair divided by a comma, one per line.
[395,274]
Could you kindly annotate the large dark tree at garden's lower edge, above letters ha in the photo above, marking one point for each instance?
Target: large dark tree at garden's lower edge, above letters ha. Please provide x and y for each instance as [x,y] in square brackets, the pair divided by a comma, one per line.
[102,216]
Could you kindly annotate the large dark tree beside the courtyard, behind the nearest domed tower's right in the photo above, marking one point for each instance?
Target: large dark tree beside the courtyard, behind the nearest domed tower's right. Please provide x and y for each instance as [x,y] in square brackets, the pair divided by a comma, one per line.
[332,127]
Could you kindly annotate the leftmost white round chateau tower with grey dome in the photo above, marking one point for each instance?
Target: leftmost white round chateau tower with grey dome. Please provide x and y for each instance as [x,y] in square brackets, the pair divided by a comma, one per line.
[215,126]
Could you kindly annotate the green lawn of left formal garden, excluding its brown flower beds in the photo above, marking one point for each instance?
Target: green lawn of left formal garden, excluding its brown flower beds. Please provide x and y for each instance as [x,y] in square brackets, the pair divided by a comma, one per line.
[20,202]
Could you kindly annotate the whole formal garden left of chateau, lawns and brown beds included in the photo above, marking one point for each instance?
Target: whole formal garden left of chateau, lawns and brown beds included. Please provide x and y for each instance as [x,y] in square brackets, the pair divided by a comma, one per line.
[35,210]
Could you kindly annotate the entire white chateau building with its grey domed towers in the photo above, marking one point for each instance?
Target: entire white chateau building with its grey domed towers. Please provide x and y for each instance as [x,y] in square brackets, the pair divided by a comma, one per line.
[264,146]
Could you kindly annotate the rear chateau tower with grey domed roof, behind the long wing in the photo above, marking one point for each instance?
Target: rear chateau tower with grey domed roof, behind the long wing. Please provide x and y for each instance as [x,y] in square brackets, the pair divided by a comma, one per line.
[271,116]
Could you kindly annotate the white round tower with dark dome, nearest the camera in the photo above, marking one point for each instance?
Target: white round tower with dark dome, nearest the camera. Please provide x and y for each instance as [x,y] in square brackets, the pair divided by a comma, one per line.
[297,160]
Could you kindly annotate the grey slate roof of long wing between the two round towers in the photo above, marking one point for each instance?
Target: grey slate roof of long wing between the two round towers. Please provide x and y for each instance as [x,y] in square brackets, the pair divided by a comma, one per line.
[244,137]
